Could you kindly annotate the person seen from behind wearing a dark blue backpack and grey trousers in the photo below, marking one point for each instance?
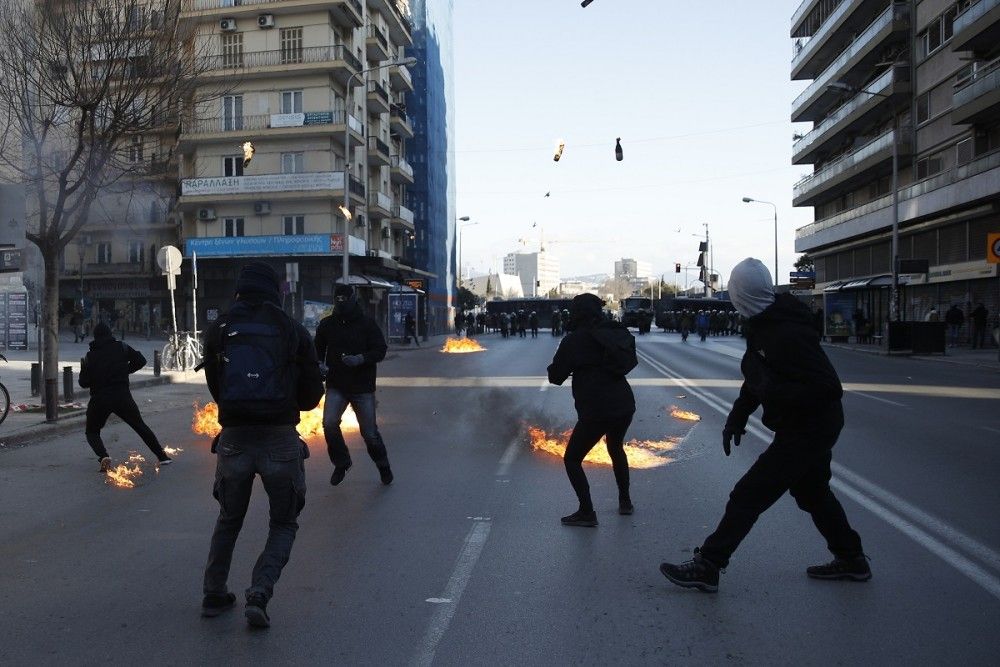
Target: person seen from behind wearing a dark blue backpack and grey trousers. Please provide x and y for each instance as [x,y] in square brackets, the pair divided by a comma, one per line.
[261,370]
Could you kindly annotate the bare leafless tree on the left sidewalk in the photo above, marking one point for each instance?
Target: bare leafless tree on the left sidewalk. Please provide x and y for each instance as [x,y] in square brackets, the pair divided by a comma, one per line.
[82,84]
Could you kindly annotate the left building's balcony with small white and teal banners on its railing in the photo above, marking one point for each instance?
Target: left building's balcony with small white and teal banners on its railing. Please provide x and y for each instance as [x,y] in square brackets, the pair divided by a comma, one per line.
[268,126]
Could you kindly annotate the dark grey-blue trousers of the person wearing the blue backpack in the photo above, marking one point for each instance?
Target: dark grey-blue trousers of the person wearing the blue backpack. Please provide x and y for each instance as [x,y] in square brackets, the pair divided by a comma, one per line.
[276,454]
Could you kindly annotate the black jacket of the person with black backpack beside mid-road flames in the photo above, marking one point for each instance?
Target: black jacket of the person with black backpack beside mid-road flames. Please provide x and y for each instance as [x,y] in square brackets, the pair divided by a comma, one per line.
[599,391]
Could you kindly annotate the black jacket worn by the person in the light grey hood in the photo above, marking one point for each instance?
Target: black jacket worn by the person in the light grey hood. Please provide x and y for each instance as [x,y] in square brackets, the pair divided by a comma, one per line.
[786,371]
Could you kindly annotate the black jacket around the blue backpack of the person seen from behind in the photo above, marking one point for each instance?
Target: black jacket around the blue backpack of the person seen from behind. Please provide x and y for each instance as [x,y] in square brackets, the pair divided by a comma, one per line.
[308,382]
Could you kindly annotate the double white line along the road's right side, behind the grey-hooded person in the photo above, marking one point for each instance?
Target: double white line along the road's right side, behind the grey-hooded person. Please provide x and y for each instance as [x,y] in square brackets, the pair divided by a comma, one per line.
[919,534]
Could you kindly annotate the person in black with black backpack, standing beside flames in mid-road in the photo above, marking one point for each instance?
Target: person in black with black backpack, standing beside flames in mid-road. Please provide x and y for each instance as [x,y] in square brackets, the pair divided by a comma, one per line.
[598,354]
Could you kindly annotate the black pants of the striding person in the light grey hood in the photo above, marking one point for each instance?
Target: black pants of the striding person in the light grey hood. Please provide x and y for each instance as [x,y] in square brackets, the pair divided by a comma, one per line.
[800,464]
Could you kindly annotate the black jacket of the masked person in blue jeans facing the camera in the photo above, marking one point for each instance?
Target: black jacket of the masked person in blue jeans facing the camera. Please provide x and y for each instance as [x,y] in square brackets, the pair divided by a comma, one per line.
[349,334]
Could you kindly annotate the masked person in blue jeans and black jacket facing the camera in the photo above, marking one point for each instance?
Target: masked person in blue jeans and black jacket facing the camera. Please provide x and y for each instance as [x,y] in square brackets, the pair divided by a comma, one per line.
[350,344]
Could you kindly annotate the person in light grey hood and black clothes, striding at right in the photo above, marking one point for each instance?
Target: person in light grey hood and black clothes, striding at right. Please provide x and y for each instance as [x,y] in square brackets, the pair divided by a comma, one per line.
[786,371]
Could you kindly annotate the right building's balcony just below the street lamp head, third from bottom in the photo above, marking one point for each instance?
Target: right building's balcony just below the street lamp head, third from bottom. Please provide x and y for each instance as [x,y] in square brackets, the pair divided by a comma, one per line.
[852,116]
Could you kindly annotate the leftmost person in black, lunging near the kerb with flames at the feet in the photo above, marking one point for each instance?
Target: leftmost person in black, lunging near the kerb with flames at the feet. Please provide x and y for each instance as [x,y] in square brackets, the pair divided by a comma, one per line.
[105,372]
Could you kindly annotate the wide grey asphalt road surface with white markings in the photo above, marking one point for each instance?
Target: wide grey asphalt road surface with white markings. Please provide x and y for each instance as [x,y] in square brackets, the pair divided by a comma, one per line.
[463,560]
